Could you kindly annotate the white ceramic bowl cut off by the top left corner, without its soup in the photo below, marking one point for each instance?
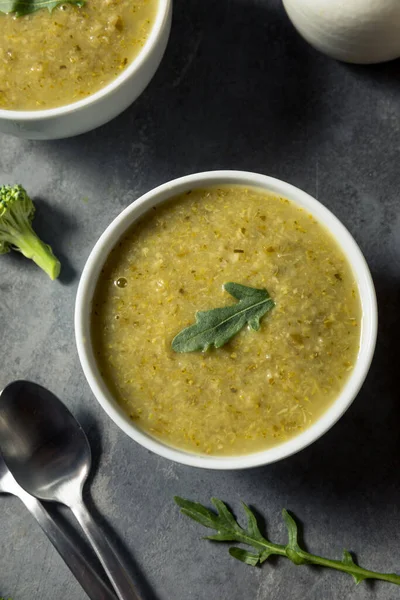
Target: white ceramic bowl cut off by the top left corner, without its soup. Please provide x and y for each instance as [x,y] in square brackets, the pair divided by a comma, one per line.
[104,105]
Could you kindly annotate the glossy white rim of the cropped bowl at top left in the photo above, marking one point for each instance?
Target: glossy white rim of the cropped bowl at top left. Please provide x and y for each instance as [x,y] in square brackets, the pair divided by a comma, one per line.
[133,67]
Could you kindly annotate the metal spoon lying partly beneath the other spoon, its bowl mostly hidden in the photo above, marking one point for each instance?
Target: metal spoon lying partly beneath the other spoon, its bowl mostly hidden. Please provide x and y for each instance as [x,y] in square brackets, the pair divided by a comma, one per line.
[91,582]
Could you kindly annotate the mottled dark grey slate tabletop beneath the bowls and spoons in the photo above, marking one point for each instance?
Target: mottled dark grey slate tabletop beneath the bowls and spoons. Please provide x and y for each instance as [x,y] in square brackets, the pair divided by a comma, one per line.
[237,89]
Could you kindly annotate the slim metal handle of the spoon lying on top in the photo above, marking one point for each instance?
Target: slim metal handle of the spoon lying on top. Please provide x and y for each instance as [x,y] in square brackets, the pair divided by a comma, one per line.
[117,573]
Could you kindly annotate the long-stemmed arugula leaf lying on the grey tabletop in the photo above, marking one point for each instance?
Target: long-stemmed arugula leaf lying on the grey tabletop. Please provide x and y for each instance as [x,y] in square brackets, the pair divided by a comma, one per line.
[229,530]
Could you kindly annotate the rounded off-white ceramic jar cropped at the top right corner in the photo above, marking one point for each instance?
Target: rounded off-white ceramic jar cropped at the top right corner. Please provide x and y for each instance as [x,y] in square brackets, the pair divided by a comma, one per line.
[354,31]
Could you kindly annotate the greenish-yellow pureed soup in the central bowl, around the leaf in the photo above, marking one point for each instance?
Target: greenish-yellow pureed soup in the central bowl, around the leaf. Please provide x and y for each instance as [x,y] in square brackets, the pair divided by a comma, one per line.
[263,387]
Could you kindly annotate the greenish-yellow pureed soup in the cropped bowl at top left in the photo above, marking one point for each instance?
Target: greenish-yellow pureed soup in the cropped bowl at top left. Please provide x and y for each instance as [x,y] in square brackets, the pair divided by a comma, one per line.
[53,59]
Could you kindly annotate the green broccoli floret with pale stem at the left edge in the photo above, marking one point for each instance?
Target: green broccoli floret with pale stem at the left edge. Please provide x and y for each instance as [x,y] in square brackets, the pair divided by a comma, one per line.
[16,215]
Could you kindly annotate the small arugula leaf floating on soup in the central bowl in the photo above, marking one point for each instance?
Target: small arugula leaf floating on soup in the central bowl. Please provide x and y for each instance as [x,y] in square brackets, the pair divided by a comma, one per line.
[217,326]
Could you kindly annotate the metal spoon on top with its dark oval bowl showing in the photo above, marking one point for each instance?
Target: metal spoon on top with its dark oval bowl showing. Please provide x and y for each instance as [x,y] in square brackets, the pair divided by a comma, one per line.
[48,454]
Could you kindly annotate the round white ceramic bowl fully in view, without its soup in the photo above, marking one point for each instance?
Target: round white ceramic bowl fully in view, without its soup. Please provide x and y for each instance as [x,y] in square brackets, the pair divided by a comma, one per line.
[119,226]
